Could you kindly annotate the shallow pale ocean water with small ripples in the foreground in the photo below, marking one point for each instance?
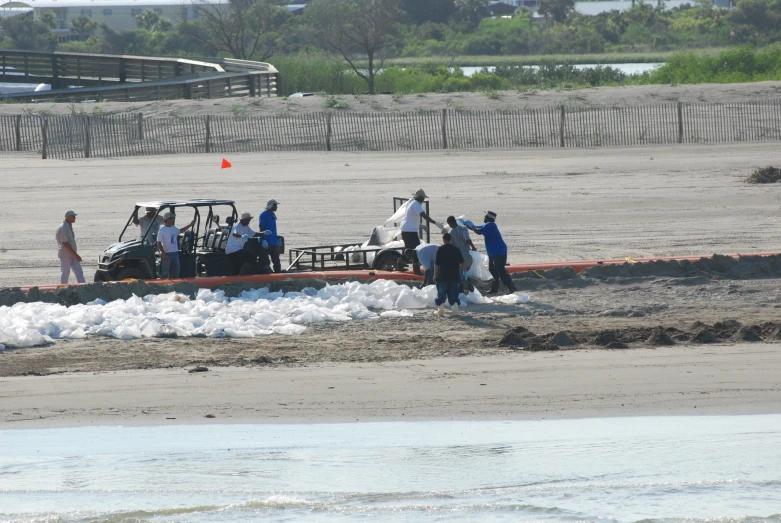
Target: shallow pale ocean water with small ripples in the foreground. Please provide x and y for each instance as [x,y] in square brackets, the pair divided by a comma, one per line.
[666,469]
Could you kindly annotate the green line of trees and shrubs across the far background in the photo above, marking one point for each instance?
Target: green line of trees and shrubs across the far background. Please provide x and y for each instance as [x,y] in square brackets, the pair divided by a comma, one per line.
[364,33]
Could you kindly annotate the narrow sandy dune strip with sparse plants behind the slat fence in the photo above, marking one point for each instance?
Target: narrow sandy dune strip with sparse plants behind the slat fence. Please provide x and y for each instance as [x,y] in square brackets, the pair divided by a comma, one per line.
[628,96]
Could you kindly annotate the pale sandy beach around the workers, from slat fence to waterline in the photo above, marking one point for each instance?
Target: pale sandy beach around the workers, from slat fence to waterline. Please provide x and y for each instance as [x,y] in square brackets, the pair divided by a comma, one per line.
[552,205]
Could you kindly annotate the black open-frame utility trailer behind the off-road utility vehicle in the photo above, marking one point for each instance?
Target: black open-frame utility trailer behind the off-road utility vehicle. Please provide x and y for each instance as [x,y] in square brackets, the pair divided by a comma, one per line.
[335,258]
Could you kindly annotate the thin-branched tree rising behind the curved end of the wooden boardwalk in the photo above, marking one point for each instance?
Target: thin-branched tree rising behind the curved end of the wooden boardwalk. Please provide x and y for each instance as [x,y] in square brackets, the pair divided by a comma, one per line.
[243,28]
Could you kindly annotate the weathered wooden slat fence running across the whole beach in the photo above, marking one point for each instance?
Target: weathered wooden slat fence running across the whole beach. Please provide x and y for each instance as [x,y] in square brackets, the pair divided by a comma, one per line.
[81,136]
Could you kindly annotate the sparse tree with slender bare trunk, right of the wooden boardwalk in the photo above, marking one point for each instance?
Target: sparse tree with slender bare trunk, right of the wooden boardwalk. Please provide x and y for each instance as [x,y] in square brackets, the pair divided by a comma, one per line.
[356,29]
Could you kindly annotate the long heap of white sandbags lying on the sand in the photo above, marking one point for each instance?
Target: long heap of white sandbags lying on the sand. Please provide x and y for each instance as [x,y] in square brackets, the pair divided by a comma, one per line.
[212,314]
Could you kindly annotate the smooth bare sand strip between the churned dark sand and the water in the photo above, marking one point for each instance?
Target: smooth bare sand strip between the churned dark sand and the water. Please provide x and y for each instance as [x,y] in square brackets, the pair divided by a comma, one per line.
[737,379]
